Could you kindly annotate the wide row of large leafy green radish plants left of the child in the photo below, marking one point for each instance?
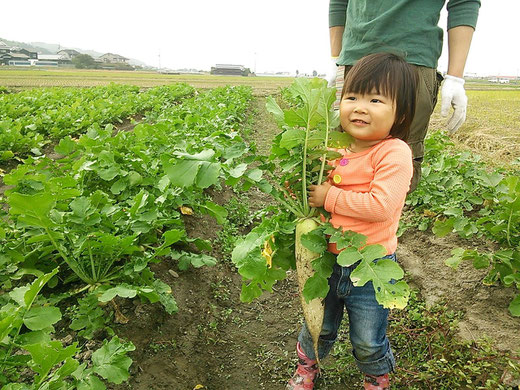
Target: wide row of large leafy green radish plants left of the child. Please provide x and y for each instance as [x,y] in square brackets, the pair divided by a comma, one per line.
[81,230]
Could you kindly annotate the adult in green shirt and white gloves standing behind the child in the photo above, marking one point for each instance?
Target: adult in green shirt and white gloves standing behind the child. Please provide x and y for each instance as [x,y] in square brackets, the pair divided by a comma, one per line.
[409,28]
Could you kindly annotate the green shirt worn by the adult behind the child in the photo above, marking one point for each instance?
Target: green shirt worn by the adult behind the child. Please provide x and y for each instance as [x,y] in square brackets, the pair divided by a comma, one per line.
[406,27]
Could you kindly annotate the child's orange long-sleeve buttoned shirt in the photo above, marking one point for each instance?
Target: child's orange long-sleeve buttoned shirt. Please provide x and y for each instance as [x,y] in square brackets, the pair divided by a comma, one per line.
[369,190]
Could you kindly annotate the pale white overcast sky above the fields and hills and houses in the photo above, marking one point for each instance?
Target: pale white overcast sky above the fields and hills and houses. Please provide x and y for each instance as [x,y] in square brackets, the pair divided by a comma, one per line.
[268,35]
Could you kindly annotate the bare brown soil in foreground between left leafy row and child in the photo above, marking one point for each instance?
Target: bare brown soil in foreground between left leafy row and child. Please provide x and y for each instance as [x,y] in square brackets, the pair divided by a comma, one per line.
[213,340]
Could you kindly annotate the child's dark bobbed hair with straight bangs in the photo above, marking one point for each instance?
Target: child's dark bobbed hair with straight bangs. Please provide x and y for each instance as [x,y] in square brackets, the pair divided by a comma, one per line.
[389,75]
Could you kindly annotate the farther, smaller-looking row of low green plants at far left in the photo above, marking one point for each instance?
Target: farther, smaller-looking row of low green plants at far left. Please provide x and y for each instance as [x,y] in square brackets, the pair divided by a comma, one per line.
[31,119]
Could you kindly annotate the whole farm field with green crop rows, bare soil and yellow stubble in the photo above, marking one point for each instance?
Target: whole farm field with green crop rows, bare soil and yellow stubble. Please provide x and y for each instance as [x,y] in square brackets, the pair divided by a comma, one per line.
[151,300]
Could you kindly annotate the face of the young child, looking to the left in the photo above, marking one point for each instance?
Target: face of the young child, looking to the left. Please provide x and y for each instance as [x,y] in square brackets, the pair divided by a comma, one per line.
[367,117]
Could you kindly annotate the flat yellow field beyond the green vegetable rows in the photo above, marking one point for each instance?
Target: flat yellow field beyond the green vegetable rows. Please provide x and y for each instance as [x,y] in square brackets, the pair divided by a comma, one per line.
[492,127]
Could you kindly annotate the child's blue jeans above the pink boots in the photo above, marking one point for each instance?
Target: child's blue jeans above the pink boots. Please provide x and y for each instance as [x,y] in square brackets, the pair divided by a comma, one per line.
[367,322]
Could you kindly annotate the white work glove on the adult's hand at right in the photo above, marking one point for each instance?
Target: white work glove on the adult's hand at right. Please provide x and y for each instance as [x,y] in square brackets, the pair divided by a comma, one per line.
[453,94]
